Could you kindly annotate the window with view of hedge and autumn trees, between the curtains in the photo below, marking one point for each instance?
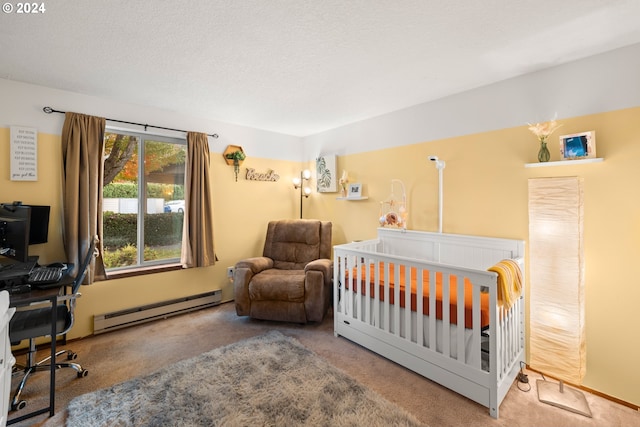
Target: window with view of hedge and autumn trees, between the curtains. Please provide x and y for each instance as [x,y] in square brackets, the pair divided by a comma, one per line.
[143,201]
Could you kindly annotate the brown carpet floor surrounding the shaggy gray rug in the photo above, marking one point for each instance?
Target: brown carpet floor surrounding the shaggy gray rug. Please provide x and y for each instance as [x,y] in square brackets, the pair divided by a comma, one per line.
[137,351]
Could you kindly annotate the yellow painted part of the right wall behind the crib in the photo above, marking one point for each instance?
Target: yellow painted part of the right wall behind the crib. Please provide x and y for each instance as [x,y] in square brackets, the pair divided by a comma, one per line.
[485,193]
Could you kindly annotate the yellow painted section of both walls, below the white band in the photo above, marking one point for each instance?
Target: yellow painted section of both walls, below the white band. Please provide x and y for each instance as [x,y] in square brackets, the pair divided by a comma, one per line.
[485,193]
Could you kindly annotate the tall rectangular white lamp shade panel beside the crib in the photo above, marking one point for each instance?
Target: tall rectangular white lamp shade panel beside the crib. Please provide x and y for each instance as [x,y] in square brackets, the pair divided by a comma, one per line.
[557,343]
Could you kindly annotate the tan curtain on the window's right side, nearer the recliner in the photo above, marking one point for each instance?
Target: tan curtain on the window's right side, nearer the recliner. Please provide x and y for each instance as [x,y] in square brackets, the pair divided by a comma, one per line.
[197,235]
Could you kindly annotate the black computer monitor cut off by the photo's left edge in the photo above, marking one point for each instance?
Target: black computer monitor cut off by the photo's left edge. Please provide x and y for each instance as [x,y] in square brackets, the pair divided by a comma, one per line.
[14,232]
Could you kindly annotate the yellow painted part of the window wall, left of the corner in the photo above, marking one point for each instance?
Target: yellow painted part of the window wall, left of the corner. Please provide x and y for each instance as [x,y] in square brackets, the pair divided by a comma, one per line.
[241,212]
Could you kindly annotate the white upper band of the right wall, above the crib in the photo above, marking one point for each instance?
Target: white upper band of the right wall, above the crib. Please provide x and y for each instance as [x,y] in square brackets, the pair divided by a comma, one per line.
[601,83]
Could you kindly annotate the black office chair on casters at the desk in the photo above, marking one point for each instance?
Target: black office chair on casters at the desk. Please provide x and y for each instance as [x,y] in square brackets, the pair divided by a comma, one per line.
[34,323]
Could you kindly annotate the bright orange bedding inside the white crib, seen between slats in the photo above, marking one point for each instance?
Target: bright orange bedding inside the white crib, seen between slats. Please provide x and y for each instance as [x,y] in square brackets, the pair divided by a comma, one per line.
[453,298]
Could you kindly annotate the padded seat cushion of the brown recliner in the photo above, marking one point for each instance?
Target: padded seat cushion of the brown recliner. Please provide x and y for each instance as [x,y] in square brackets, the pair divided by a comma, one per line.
[278,285]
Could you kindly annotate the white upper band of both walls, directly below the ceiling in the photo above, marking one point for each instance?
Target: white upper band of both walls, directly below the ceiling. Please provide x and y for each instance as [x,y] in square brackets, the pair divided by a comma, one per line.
[600,83]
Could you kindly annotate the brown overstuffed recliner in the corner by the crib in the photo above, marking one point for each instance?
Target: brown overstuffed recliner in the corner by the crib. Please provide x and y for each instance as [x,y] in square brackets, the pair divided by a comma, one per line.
[292,280]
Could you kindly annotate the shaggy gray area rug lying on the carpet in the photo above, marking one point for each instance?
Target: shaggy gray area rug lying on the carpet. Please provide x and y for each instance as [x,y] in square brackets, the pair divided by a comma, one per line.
[269,380]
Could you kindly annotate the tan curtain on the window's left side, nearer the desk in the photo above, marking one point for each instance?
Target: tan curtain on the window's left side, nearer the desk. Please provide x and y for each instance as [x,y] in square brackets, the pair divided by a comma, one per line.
[82,153]
